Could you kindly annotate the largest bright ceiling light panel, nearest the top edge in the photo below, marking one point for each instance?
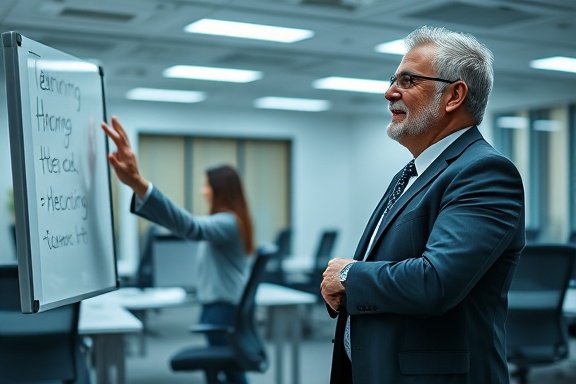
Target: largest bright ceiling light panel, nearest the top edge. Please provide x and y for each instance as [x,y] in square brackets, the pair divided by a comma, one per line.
[248,31]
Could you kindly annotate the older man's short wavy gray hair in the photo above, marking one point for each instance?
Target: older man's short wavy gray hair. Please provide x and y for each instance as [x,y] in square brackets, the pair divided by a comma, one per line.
[460,57]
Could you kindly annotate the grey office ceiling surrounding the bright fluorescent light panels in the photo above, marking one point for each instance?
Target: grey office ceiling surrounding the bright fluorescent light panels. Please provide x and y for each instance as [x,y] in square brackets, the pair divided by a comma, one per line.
[134,40]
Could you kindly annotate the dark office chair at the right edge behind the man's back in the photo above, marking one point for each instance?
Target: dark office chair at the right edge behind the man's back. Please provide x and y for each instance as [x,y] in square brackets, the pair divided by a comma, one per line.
[537,333]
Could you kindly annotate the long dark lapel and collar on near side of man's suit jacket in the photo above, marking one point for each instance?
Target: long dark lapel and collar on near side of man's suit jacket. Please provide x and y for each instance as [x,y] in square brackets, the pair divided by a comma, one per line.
[438,166]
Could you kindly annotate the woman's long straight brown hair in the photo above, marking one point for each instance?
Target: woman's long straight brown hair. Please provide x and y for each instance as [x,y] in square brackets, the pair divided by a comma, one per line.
[228,195]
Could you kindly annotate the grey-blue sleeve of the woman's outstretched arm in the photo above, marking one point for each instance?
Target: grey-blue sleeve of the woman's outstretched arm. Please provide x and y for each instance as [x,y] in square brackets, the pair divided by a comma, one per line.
[217,228]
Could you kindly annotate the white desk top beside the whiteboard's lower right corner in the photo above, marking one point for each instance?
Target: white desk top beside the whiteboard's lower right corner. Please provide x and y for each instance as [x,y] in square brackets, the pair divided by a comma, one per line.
[102,318]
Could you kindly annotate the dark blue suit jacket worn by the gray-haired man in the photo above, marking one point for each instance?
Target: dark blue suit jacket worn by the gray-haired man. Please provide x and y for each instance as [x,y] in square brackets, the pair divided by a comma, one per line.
[429,304]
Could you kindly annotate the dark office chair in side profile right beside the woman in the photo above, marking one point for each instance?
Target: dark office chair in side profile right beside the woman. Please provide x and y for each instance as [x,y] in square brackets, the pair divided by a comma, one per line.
[246,351]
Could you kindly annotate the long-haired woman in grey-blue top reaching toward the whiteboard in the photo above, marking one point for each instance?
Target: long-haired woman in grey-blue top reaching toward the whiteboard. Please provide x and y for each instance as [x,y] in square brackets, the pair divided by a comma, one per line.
[227,231]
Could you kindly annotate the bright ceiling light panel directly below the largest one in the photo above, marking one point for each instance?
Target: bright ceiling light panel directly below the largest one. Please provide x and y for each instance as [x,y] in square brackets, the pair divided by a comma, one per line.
[213,74]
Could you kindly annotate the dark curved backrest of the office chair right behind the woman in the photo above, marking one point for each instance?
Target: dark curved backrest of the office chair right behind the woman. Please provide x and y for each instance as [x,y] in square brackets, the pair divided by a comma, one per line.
[246,339]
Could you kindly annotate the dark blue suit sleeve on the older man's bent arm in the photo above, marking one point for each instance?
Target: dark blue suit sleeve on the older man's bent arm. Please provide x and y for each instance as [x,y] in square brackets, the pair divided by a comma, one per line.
[476,210]
